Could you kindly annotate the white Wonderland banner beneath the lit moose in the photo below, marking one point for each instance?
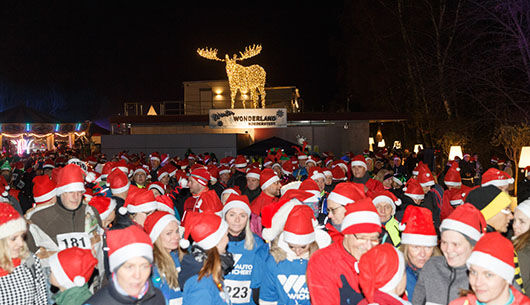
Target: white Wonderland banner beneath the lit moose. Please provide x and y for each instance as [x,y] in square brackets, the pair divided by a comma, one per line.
[248,118]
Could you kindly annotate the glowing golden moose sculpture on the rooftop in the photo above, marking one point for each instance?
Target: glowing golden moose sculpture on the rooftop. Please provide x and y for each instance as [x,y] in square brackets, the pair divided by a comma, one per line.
[245,79]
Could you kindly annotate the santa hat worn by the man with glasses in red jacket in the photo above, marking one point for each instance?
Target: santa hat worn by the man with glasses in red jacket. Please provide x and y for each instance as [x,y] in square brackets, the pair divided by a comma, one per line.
[361,217]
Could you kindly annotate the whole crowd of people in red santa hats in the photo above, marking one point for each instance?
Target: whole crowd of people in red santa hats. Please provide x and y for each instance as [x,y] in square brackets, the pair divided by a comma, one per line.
[303,229]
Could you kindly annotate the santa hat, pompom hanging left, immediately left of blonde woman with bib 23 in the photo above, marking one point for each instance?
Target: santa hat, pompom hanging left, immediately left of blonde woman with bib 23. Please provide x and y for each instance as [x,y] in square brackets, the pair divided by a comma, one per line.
[206,229]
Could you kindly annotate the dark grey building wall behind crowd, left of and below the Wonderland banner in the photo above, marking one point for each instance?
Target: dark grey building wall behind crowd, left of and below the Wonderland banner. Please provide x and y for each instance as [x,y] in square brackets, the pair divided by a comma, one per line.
[173,144]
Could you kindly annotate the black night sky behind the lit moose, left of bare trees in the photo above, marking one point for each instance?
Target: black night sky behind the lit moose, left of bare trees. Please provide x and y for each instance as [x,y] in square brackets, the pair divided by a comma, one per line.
[127,52]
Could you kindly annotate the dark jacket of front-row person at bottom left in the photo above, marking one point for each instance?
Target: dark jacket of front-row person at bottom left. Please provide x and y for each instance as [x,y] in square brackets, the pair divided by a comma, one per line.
[108,295]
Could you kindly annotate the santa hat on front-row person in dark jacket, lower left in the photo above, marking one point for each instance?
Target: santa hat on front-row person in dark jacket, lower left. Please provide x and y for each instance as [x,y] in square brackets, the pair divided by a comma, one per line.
[125,244]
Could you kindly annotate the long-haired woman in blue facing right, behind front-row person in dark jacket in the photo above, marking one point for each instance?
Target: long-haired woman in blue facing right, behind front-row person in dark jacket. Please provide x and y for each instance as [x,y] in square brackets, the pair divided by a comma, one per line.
[163,229]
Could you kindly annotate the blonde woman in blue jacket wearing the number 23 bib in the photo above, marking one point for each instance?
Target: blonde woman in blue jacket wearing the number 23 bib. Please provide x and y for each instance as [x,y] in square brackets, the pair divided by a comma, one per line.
[244,280]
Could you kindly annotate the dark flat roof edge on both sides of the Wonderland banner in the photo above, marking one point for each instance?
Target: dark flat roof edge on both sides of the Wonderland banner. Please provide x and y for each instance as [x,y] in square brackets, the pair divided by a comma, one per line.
[301,117]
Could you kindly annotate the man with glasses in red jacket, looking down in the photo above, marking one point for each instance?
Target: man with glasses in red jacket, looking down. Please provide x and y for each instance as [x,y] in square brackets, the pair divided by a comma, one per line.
[331,275]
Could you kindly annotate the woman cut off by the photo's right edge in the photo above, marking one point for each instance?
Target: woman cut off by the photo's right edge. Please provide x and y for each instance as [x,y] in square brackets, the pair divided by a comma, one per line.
[521,239]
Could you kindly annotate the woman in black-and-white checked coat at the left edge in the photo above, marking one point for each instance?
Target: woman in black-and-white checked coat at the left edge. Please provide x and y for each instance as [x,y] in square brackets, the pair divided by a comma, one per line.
[22,280]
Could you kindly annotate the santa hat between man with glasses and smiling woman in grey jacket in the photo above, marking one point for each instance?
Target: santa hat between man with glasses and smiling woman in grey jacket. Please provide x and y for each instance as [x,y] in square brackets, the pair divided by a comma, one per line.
[417,227]
